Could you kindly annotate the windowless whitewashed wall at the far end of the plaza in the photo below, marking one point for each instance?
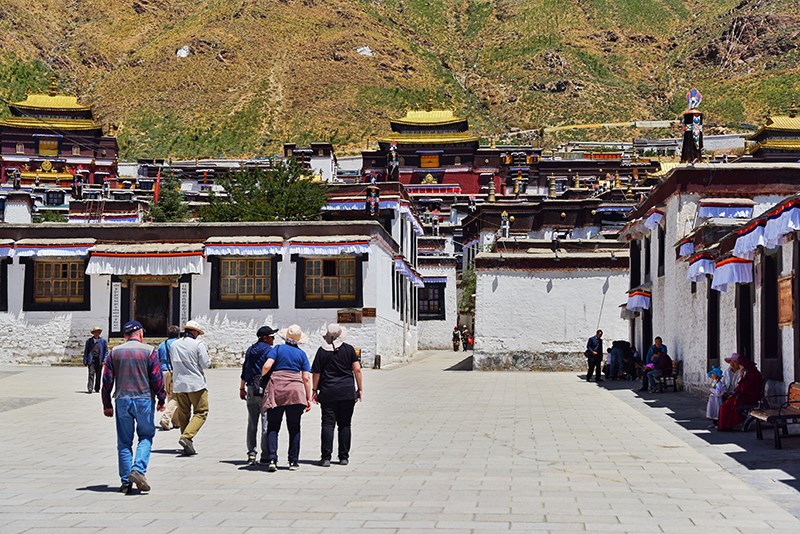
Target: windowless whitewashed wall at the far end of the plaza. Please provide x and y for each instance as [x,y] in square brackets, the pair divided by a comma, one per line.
[543,319]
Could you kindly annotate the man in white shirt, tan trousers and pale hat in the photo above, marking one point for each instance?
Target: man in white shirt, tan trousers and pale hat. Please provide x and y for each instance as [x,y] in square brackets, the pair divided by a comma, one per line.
[189,359]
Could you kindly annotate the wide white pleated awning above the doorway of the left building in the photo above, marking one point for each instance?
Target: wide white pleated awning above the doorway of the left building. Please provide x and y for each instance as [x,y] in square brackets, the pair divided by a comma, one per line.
[151,259]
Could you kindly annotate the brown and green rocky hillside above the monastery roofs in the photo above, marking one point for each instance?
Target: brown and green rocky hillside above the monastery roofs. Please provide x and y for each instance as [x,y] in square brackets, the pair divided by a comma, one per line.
[239,77]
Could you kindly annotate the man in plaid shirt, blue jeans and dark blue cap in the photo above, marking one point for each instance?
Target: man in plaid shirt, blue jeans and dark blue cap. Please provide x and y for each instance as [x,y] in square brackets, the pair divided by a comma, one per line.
[132,369]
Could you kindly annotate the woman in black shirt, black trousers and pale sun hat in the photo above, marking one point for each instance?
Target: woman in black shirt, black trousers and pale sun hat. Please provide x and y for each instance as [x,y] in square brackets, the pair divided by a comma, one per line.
[336,374]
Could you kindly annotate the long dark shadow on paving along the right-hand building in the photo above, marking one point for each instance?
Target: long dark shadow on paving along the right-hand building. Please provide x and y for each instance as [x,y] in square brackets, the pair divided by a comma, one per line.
[689,411]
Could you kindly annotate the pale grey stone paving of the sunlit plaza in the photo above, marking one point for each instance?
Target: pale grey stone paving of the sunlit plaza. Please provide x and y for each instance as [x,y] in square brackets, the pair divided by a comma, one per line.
[433,450]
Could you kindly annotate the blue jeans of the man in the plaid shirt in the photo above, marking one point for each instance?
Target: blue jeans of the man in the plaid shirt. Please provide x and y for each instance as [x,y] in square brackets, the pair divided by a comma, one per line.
[134,414]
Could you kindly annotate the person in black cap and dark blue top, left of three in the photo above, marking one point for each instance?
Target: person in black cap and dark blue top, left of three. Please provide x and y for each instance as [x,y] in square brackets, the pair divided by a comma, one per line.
[250,391]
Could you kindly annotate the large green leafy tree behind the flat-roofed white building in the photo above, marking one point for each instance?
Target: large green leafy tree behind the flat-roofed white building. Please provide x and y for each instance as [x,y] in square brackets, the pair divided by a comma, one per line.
[283,193]
